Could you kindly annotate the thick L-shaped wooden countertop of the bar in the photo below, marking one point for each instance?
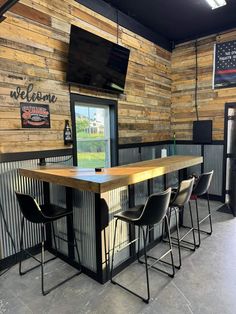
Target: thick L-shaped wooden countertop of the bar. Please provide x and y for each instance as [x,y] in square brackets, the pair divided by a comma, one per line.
[109,178]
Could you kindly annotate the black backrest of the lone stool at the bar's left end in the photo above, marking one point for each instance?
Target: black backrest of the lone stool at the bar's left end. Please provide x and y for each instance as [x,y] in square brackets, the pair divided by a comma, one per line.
[29,208]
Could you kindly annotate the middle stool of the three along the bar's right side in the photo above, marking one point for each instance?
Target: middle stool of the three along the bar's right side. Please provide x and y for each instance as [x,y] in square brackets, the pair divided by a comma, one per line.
[179,198]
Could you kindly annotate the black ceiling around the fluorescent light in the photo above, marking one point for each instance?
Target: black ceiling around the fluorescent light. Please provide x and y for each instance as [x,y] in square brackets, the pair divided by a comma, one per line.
[179,20]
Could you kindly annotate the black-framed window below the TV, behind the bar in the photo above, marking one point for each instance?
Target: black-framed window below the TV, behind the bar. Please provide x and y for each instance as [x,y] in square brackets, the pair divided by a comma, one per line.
[94,132]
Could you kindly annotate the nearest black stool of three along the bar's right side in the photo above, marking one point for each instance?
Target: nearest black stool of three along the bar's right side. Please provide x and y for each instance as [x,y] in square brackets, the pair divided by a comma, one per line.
[152,212]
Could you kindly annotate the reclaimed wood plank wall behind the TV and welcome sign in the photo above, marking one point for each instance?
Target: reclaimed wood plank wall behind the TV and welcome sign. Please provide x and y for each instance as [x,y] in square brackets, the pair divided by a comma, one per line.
[33,49]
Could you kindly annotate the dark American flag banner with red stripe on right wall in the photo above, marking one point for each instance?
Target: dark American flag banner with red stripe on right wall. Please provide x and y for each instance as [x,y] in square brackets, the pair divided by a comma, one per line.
[225,65]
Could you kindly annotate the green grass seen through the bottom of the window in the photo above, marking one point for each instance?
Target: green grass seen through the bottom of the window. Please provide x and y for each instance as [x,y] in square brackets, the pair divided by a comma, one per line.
[91,160]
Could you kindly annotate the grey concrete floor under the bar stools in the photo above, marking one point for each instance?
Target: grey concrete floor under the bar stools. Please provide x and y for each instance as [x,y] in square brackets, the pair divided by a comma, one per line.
[206,283]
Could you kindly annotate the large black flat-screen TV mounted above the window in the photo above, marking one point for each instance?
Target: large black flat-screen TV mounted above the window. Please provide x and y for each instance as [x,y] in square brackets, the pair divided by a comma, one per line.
[95,62]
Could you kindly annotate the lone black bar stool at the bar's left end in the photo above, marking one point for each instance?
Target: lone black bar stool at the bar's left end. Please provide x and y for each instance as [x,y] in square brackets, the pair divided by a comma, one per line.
[42,215]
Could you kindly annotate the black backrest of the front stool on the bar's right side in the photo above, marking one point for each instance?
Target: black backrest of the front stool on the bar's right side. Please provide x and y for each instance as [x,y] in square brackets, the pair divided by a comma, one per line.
[155,208]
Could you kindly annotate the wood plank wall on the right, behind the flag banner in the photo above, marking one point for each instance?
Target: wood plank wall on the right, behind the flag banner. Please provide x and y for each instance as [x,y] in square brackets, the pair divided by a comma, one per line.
[211,102]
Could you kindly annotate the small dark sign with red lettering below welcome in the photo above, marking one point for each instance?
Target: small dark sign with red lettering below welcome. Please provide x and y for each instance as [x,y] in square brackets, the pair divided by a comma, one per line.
[34,115]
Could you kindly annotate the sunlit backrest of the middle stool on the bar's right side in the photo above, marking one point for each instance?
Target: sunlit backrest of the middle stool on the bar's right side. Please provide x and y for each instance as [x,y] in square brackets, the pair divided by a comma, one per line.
[184,193]
